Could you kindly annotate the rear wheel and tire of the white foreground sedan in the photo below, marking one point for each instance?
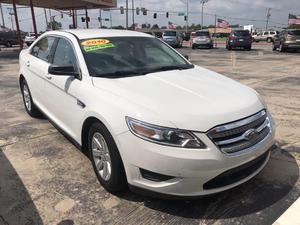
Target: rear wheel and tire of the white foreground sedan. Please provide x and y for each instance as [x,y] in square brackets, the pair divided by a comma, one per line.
[30,107]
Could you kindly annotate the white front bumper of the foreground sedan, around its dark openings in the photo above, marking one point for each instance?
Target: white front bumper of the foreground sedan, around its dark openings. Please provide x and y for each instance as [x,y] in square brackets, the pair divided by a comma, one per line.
[190,169]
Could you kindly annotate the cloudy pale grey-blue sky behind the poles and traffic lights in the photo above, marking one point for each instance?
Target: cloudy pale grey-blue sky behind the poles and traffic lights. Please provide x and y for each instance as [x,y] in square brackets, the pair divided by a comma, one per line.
[241,12]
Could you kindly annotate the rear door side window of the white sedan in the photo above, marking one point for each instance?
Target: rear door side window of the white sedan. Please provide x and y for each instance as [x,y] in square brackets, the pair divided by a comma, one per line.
[42,49]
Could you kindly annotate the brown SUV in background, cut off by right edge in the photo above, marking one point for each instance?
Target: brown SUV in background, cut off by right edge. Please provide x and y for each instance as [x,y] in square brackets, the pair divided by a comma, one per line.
[287,39]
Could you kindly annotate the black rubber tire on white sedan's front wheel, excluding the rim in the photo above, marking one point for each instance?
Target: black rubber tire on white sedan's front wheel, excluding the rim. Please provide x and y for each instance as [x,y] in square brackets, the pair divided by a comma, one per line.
[117,181]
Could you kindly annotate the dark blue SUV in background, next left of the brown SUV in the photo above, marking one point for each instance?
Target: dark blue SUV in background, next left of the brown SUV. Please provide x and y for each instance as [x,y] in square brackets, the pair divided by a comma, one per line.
[239,39]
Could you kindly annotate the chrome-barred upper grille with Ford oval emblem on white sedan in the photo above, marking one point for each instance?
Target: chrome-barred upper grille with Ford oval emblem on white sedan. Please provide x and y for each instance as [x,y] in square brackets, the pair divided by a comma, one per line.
[240,135]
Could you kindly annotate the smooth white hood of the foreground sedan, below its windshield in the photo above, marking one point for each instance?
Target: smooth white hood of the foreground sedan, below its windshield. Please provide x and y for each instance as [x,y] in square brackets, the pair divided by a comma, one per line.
[194,99]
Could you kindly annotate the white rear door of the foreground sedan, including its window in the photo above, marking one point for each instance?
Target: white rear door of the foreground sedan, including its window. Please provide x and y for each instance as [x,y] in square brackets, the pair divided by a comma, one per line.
[36,67]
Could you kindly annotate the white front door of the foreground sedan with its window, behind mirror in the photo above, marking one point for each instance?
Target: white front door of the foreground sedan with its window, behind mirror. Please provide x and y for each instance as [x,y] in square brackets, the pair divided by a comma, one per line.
[65,109]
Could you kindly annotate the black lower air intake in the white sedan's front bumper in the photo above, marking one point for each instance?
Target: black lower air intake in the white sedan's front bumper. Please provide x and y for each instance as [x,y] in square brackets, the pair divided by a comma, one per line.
[236,174]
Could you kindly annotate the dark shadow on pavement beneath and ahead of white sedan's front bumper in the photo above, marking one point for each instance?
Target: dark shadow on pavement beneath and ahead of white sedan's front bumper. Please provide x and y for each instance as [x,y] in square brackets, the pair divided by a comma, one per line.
[257,196]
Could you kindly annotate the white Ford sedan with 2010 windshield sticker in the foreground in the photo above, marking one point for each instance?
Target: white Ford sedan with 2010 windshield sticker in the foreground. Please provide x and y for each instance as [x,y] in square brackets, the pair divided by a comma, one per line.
[145,116]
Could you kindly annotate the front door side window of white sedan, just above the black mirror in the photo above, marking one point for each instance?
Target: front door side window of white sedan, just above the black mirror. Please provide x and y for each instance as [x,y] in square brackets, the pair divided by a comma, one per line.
[64,54]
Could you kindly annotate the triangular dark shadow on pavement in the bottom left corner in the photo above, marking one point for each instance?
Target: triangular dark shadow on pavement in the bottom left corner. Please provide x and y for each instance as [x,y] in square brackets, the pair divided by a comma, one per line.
[16,205]
